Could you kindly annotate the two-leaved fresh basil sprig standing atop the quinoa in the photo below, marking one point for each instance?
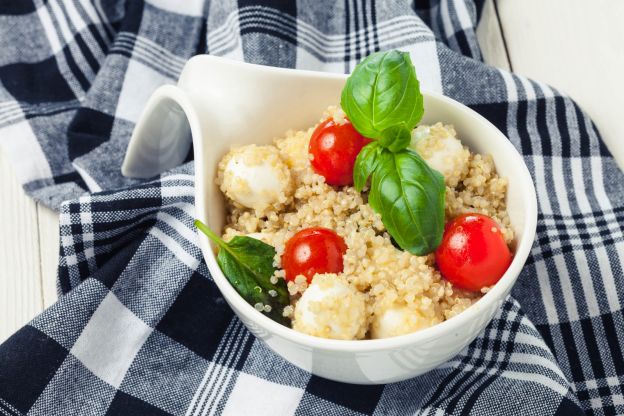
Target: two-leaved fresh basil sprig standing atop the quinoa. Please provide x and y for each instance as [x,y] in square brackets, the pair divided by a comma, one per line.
[382,100]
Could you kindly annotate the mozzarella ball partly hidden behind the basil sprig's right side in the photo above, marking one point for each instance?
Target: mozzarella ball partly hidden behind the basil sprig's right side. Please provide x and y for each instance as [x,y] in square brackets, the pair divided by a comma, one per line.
[440,148]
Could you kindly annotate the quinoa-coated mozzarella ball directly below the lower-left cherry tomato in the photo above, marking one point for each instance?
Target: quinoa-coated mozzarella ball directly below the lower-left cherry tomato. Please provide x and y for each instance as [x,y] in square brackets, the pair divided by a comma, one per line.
[331,308]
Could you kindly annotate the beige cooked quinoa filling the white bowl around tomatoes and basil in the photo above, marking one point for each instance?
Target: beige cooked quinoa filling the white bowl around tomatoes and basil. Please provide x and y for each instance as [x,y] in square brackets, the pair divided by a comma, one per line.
[382,291]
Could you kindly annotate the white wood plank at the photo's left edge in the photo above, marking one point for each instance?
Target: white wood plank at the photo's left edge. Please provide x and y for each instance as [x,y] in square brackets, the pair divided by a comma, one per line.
[21,292]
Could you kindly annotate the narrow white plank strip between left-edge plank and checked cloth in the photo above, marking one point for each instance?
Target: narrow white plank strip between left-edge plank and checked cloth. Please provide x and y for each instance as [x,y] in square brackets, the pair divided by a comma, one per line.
[49,249]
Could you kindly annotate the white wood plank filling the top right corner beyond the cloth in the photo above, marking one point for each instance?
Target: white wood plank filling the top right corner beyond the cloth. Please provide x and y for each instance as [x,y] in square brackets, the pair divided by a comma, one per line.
[576,47]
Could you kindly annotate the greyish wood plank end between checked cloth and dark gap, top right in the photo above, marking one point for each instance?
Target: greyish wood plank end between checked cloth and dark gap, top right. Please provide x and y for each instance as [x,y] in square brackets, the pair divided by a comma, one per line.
[490,37]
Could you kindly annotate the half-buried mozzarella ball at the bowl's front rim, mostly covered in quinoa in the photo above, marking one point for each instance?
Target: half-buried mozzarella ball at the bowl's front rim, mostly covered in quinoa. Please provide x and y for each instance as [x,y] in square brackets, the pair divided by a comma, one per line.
[398,320]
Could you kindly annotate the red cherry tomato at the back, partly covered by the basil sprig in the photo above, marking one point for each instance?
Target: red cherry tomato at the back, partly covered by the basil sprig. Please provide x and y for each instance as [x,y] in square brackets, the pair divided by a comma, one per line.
[334,148]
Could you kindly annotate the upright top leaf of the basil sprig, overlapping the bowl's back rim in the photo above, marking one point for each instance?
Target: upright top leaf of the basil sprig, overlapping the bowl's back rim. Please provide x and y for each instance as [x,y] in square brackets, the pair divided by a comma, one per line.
[383,93]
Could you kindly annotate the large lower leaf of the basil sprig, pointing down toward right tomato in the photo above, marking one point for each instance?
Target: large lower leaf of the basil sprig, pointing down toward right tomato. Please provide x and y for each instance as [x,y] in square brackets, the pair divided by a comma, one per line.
[409,196]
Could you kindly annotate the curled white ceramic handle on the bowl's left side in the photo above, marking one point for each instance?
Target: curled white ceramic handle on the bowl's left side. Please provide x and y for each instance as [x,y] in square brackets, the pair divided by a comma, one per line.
[161,139]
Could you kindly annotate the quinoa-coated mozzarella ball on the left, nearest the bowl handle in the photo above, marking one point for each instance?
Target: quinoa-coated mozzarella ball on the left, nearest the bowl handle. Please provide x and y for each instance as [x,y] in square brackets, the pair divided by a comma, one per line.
[255,177]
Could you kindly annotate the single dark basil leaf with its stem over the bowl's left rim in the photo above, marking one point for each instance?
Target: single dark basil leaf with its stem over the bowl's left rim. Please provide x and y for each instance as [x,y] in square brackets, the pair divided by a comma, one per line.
[247,263]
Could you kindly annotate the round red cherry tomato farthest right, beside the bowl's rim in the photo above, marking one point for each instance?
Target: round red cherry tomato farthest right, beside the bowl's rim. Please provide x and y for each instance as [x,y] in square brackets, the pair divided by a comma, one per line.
[473,253]
